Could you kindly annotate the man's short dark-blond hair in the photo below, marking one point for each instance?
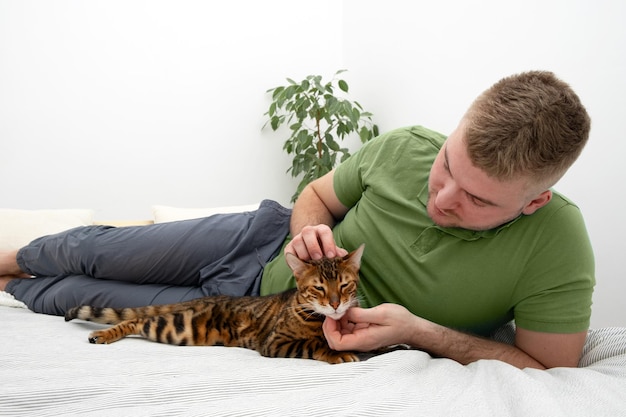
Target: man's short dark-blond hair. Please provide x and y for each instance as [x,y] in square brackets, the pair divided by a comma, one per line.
[530,125]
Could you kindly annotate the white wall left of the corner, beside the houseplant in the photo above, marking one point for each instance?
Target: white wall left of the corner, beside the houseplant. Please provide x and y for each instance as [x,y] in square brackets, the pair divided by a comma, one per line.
[119,105]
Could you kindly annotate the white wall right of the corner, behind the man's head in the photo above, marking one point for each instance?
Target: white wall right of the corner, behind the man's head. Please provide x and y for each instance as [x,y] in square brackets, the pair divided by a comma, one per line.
[424,62]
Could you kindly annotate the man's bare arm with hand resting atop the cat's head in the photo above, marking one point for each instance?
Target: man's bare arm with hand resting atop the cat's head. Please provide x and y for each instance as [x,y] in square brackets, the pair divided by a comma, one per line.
[314,214]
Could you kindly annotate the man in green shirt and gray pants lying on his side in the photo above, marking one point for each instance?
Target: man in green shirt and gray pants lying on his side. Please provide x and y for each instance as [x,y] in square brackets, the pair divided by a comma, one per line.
[462,235]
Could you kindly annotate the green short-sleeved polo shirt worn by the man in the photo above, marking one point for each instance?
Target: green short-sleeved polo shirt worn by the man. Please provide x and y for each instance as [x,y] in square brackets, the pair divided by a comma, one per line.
[537,269]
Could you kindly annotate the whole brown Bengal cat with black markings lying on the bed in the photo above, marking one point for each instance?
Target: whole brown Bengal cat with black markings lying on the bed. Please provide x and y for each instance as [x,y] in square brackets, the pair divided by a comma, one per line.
[288,324]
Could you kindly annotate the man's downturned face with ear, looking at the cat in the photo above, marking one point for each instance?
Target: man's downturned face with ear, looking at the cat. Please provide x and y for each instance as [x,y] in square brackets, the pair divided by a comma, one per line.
[461,195]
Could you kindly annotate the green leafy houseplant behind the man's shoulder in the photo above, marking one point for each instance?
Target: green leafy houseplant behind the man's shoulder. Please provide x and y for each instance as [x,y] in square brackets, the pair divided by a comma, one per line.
[318,119]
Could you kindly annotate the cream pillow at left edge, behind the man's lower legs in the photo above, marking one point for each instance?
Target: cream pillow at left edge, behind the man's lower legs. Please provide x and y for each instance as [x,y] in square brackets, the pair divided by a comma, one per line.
[19,227]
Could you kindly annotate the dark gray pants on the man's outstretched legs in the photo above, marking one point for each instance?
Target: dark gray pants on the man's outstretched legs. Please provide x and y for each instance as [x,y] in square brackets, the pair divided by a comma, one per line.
[157,264]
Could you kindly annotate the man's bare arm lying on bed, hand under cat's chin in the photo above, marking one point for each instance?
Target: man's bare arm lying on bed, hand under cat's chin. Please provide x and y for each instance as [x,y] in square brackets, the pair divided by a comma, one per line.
[390,324]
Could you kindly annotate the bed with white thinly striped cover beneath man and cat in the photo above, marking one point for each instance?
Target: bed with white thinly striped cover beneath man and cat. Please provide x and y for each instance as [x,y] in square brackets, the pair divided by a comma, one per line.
[49,368]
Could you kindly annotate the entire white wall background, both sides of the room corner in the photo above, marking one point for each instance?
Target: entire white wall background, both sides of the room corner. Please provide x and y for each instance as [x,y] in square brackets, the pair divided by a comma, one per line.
[117,105]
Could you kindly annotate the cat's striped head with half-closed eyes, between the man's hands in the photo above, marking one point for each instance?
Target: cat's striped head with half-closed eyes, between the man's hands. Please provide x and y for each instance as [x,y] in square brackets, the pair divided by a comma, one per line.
[329,285]
